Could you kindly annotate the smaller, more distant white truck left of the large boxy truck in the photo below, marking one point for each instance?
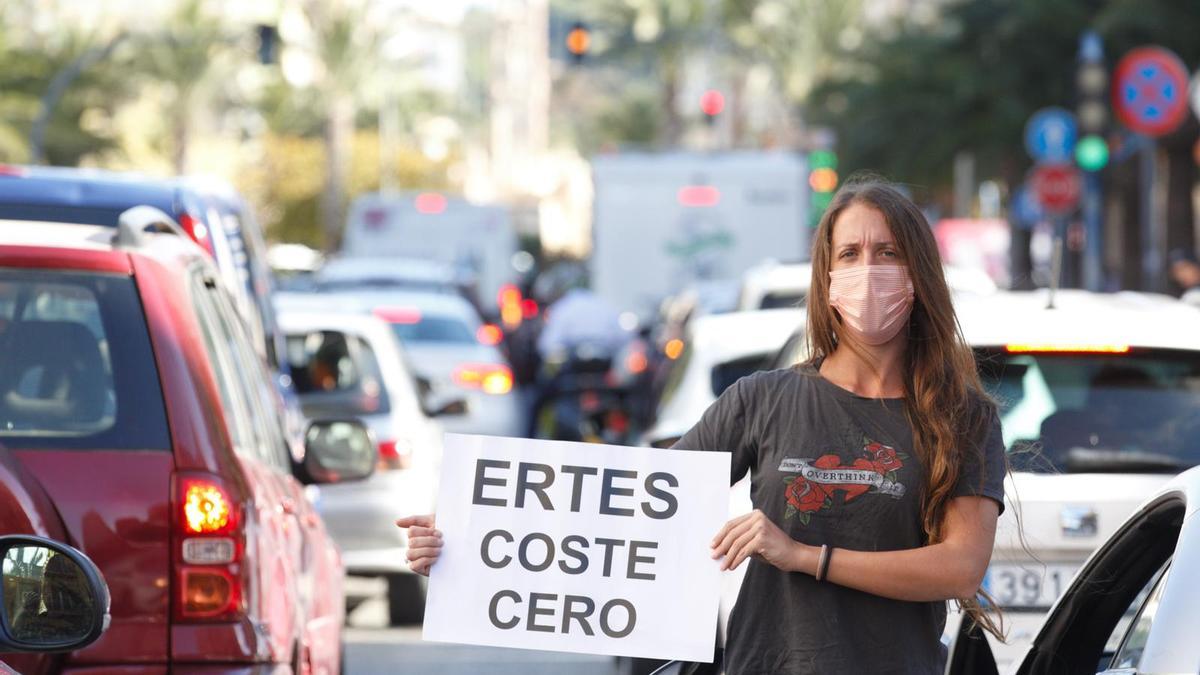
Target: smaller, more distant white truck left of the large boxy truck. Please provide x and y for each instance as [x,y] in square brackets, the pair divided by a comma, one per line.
[479,241]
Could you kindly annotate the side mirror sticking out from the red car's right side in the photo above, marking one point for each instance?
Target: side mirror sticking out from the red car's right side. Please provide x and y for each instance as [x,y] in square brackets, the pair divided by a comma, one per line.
[338,451]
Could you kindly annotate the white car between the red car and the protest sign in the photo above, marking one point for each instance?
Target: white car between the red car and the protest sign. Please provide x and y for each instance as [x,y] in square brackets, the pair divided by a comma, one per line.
[352,366]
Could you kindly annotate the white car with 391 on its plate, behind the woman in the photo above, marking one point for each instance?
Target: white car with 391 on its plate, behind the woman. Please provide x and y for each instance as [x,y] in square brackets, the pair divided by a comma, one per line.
[1100,401]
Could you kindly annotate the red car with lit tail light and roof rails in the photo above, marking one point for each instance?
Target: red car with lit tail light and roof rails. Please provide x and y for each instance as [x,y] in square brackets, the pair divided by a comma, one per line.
[135,410]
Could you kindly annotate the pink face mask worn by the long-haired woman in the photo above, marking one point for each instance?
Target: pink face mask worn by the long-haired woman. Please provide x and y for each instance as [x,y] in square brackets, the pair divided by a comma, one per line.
[874,301]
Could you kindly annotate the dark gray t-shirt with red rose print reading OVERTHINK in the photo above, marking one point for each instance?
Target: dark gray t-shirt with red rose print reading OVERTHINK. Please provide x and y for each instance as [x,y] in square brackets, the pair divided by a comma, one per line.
[831,468]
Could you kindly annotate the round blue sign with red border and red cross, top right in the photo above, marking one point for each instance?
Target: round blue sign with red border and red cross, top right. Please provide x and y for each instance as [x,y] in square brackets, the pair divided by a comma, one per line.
[1150,91]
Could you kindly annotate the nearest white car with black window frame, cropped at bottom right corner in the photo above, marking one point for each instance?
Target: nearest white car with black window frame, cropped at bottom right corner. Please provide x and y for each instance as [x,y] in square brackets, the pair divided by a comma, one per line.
[1135,607]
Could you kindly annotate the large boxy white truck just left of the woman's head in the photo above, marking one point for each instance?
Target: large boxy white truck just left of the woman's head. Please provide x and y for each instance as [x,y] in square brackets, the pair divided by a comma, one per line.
[665,220]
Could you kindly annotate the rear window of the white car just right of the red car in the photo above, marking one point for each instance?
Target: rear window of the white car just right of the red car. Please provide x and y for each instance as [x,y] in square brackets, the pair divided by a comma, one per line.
[337,374]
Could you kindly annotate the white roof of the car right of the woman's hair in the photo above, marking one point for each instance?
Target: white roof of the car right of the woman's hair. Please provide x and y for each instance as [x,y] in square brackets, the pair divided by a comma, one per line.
[1078,318]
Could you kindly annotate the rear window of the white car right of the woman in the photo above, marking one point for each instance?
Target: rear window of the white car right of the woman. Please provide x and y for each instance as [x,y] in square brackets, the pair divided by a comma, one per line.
[1097,413]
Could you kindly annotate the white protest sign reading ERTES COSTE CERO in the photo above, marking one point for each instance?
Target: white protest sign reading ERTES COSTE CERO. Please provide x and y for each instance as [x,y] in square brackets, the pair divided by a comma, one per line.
[577,547]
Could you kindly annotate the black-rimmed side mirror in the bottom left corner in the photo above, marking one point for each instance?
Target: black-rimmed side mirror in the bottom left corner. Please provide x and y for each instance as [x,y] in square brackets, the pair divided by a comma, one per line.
[53,598]
